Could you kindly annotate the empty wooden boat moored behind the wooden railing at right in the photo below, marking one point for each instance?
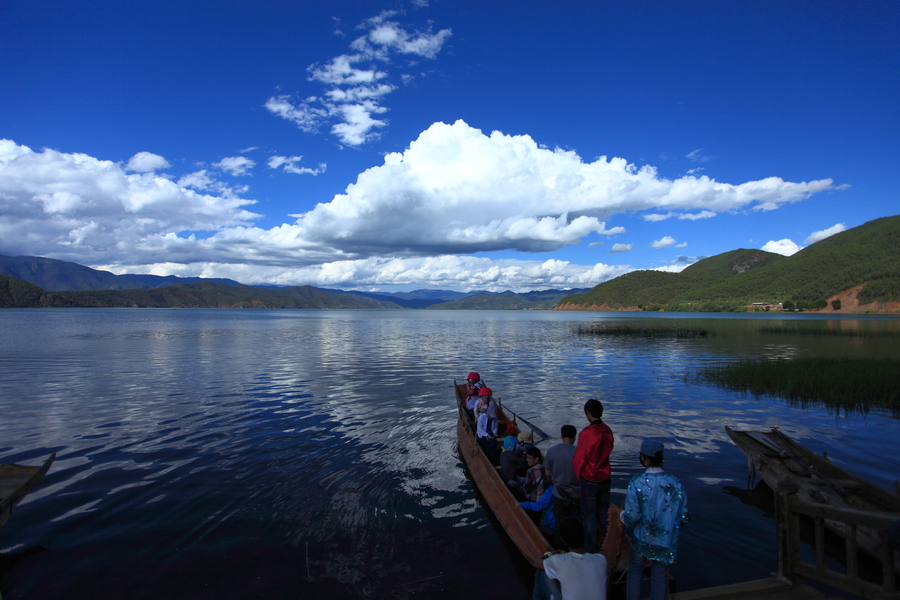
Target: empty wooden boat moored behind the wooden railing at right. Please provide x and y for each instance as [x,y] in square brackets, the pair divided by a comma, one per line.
[777,458]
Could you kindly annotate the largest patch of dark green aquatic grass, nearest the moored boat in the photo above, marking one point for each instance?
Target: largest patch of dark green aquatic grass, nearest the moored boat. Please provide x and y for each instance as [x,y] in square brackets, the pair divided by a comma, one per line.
[849,385]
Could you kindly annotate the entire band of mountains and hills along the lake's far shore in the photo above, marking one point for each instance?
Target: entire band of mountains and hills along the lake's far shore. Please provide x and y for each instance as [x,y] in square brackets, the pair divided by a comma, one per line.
[852,271]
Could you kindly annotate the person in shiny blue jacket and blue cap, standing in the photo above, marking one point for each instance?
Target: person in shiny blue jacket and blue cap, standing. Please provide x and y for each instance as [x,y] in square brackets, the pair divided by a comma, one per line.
[655,509]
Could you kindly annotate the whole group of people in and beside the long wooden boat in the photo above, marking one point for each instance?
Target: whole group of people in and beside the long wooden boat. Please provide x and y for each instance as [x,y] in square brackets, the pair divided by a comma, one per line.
[567,492]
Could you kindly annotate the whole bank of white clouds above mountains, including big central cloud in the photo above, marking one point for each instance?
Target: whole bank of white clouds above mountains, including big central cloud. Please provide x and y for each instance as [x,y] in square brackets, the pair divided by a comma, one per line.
[453,191]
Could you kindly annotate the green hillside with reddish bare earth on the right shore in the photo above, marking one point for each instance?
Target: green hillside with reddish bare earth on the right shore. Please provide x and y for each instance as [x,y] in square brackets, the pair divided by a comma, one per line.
[861,265]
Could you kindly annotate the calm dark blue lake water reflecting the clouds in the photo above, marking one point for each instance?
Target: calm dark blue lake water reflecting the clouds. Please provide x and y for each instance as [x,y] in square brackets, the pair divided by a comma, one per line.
[311,454]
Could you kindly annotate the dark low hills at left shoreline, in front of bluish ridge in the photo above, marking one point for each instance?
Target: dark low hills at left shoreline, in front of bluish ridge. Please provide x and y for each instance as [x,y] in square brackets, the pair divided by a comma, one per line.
[207,294]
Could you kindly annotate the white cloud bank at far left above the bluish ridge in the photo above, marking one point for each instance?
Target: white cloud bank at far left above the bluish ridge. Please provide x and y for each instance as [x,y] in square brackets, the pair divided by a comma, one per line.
[76,207]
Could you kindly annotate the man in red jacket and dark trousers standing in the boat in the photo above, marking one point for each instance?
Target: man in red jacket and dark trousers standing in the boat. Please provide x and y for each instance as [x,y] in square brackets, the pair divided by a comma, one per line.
[591,466]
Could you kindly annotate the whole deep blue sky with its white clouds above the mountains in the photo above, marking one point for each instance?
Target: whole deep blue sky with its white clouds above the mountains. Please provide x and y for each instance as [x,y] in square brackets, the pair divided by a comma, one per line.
[441,144]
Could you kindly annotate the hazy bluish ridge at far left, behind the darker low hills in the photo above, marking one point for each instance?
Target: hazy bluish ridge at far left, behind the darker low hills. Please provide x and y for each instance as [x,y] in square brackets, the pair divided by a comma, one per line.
[59,275]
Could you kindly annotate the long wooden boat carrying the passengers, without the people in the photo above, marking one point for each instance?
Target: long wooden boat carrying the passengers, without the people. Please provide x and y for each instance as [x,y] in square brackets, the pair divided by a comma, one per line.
[512,517]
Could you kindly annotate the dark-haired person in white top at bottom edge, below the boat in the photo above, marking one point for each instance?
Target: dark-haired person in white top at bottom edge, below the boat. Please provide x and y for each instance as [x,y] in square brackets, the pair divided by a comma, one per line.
[572,575]
